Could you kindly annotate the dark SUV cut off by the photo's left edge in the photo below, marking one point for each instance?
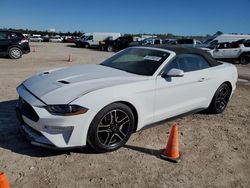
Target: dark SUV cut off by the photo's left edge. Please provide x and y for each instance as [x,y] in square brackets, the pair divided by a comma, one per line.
[13,44]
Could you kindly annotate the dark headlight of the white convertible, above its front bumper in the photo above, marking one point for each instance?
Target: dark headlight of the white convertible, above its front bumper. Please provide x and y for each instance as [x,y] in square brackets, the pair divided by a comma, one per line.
[65,110]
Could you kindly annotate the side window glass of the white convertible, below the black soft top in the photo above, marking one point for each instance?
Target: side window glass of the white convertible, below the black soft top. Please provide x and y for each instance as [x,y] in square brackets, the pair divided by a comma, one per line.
[187,63]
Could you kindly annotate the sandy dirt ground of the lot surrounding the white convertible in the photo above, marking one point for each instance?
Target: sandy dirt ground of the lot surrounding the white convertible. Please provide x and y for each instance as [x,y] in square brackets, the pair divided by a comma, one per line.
[215,148]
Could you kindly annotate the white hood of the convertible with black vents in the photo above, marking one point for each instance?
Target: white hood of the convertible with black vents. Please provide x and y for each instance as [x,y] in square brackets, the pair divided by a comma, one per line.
[62,86]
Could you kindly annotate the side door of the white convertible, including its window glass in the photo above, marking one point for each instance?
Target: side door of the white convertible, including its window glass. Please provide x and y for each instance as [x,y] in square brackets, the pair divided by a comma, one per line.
[178,95]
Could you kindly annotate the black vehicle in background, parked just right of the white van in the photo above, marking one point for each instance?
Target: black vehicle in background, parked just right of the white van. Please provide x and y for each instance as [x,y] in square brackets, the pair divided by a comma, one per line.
[117,44]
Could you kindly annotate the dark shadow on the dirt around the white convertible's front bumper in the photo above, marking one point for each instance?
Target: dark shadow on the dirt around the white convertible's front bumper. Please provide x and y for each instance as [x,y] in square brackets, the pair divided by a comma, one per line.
[12,139]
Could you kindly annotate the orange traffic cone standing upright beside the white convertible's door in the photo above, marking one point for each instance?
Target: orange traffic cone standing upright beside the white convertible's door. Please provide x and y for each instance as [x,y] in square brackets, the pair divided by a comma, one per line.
[171,152]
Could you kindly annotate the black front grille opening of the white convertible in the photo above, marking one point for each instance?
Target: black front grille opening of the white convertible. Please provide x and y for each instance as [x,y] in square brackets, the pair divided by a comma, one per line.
[27,110]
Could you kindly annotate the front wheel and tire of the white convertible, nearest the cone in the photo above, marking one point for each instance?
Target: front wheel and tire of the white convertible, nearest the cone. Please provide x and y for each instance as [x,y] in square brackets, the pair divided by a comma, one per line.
[111,128]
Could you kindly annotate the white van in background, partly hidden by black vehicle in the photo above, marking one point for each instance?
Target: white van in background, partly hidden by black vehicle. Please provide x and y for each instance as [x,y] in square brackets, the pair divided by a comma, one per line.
[92,39]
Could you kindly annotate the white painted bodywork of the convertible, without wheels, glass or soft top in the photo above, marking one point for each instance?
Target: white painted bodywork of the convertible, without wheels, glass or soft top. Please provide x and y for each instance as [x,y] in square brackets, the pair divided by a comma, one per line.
[96,86]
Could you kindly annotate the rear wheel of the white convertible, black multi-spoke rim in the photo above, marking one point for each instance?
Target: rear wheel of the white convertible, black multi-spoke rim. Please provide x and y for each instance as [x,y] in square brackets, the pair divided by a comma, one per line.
[220,99]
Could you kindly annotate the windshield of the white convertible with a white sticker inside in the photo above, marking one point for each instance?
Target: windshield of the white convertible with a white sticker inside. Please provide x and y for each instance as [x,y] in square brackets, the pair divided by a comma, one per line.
[140,61]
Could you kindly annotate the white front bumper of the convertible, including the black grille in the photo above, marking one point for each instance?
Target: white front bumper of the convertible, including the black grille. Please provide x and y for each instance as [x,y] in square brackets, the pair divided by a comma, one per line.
[47,130]
